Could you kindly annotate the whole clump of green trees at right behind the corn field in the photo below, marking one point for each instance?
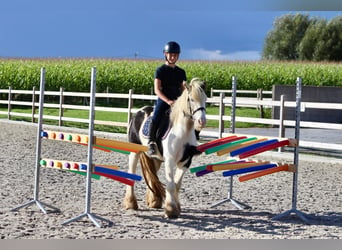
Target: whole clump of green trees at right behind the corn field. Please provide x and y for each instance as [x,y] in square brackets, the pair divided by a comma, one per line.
[298,37]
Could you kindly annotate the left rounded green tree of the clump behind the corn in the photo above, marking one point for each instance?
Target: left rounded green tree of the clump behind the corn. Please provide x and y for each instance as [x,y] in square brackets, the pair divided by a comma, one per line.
[283,41]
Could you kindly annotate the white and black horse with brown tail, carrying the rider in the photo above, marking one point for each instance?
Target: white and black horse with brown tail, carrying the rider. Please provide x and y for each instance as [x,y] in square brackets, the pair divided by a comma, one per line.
[177,148]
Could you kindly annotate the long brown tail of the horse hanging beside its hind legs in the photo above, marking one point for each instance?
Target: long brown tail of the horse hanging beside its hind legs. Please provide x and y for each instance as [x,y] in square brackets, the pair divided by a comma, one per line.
[149,171]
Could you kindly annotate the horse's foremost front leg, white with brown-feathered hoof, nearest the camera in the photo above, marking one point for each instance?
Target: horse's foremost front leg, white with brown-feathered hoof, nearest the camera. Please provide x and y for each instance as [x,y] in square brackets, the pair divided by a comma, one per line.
[171,205]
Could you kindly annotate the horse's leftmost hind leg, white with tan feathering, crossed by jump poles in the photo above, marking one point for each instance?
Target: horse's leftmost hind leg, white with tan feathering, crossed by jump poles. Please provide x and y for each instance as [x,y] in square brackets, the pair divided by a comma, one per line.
[130,201]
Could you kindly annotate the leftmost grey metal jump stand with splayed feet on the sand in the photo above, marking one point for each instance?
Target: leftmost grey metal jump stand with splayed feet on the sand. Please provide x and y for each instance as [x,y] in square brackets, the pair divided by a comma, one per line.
[36,200]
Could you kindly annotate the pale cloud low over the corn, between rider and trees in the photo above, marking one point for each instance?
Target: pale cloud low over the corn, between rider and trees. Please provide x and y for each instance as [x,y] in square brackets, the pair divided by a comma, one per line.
[217,55]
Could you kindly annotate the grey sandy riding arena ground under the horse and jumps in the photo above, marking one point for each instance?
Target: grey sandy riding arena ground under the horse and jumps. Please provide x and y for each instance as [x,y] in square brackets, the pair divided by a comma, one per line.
[319,196]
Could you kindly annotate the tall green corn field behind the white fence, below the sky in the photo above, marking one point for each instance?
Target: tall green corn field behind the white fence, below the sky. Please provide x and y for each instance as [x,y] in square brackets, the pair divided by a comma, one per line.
[118,76]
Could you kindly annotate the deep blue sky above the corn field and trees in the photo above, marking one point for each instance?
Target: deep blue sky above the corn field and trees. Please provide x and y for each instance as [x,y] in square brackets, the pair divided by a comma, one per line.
[206,30]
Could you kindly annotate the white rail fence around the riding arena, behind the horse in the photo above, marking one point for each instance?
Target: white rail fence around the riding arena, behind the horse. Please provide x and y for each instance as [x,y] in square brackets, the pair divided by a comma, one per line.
[6,100]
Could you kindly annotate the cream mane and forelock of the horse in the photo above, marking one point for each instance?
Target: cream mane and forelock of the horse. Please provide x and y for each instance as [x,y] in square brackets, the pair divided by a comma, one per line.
[196,87]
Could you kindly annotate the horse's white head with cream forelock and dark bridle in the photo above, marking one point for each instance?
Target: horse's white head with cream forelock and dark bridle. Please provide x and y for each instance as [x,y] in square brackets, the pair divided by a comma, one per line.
[197,102]
